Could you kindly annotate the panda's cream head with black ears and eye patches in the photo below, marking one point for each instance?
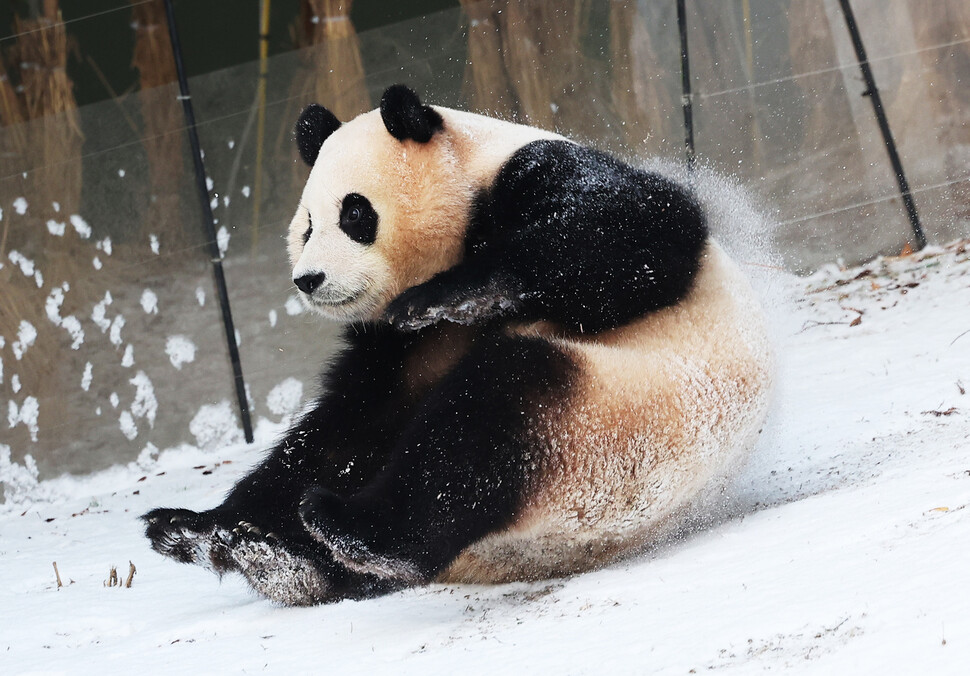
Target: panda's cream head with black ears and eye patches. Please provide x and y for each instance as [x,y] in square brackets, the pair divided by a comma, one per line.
[385,206]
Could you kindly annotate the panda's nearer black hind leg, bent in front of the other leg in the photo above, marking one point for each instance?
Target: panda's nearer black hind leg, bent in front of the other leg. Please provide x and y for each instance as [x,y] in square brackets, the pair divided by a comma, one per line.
[460,470]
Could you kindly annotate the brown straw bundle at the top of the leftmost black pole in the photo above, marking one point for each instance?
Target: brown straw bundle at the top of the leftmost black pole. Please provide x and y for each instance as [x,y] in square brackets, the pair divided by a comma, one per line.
[161,116]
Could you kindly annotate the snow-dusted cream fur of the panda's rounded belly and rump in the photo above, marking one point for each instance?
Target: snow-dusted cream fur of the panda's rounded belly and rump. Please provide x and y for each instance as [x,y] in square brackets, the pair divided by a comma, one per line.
[660,409]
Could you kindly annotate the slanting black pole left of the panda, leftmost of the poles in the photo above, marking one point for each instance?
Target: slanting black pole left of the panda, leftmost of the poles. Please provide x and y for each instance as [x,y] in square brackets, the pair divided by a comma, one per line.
[209,225]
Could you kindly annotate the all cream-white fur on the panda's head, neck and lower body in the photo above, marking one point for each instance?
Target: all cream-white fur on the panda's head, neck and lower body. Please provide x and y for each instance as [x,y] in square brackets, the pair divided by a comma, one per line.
[661,405]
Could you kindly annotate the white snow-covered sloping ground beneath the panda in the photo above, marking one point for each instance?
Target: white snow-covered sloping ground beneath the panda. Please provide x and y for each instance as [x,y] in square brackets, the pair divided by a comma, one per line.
[844,549]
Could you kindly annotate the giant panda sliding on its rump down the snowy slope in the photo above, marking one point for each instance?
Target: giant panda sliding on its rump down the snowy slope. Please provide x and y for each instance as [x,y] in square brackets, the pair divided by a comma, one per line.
[547,359]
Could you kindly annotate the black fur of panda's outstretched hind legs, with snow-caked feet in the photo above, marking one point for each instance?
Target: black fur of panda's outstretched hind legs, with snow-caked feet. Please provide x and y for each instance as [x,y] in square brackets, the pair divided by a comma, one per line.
[379,485]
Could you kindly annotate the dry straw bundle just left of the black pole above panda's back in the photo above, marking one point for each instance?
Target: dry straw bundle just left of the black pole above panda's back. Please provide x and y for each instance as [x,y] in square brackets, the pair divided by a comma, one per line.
[638,92]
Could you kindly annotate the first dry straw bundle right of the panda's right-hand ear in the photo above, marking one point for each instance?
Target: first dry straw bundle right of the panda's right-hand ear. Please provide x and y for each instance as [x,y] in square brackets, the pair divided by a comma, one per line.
[487,87]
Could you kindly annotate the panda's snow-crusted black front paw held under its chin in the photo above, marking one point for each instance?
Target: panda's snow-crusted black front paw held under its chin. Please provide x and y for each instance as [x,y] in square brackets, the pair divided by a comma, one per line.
[442,298]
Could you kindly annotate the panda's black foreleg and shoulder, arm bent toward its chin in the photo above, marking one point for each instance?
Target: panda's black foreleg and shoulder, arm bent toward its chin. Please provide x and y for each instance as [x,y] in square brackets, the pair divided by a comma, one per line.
[571,235]
